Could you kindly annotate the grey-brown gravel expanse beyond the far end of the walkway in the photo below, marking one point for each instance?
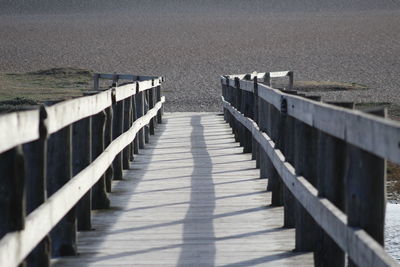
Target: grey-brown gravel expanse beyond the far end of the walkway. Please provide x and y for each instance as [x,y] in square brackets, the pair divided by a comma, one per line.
[192,42]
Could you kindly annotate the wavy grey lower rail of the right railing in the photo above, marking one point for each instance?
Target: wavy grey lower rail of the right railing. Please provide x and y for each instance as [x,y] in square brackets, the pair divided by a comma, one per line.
[362,249]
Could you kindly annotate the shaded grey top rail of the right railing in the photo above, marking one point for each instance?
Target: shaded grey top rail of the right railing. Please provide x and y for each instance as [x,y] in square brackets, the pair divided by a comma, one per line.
[373,134]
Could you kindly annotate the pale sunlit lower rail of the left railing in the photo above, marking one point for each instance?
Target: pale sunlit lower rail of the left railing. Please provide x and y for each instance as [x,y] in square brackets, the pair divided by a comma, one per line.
[15,246]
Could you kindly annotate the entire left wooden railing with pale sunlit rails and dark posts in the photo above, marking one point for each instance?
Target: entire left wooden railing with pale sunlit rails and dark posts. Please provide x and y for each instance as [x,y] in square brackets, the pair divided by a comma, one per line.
[57,163]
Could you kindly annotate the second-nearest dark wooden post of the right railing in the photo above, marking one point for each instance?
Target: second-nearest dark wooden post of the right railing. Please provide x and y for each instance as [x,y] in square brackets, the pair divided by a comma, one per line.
[330,185]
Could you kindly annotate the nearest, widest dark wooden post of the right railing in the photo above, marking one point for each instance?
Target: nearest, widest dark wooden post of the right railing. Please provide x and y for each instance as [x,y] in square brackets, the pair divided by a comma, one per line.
[365,179]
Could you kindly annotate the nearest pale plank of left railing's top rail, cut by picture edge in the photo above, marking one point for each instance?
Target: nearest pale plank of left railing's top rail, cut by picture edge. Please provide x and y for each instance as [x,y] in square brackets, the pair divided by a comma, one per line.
[18,128]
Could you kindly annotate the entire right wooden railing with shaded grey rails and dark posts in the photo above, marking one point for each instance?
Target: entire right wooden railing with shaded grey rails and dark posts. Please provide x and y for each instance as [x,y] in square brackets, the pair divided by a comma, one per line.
[325,163]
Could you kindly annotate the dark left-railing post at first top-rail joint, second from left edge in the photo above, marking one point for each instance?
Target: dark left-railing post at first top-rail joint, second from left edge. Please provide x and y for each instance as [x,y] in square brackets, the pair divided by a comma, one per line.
[35,155]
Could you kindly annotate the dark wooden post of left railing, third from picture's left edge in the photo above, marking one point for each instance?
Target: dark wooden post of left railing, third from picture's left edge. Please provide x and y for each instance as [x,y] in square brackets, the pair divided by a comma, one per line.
[59,170]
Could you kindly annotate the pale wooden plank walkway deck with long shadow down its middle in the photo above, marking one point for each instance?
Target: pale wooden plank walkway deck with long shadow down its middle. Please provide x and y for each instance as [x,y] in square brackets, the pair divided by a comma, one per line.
[191,198]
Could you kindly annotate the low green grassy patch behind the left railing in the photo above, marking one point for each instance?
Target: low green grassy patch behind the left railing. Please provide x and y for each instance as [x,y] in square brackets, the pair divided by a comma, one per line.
[22,89]
